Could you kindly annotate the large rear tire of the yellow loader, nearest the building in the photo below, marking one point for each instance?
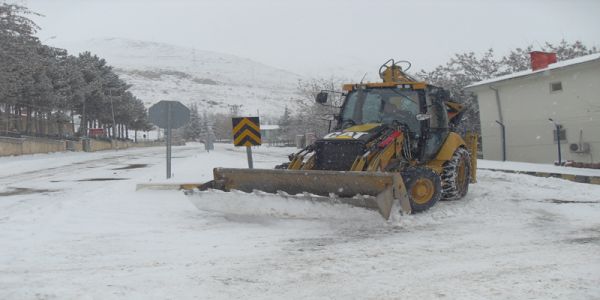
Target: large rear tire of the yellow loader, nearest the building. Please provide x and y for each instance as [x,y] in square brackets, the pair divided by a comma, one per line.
[456,175]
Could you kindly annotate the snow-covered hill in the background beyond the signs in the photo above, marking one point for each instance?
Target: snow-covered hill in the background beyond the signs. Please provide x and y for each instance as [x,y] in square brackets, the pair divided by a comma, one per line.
[214,80]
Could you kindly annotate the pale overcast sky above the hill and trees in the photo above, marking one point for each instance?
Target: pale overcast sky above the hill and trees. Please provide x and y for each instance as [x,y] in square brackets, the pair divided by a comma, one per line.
[310,36]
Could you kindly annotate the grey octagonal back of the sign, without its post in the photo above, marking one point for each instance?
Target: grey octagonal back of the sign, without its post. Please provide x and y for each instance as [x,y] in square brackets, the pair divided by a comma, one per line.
[159,116]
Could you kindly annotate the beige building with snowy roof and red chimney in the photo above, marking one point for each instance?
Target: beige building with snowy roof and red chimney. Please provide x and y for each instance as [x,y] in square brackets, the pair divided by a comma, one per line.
[568,92]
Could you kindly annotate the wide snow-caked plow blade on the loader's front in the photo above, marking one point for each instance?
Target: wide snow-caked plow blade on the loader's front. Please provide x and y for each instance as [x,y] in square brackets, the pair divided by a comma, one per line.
[381,189]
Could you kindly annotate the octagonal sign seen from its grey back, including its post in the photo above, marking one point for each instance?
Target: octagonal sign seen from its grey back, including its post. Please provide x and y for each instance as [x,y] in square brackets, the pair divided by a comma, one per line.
[168,115]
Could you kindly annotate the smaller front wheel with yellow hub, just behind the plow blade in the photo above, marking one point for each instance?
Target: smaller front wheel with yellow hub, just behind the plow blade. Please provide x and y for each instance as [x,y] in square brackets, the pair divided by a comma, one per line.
[423,187]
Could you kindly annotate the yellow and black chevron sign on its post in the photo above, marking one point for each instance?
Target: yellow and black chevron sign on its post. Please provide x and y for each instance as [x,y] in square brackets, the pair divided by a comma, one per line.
[246,132]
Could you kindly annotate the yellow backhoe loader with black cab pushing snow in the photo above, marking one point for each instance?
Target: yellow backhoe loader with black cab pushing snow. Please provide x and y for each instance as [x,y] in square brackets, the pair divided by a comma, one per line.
[393,143]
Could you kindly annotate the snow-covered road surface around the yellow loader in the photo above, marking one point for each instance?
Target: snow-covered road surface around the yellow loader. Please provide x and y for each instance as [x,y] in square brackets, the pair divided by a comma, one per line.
[72,226]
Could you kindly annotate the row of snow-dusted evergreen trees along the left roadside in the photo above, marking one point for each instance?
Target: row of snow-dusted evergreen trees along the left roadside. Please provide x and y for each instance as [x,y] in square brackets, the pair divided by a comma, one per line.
[42,88]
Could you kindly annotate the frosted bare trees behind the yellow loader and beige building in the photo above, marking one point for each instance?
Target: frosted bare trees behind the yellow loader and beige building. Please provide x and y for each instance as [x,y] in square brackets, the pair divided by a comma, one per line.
[460,71]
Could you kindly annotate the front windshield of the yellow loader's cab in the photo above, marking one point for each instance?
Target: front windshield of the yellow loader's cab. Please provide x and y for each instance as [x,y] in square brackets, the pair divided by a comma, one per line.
[382,106]
